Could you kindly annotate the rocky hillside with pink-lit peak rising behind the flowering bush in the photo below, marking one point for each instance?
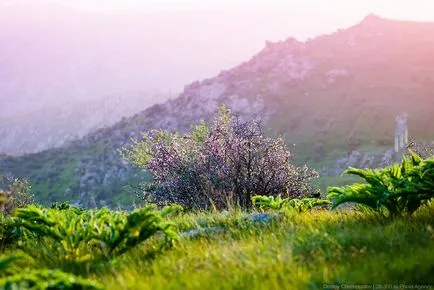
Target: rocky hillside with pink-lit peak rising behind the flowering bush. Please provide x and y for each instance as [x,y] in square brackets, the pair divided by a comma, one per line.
[328,96]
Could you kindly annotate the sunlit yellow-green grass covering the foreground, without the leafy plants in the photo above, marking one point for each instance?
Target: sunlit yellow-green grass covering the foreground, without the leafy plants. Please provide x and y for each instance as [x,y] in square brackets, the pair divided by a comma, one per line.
[311,250]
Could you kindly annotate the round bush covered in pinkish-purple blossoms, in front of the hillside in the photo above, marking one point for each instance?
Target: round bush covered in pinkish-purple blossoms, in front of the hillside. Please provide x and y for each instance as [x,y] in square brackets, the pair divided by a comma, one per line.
[230,161]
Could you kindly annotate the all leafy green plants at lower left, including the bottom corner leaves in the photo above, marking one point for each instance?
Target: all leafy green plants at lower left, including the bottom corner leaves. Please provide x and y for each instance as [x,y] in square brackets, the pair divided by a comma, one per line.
[71,240]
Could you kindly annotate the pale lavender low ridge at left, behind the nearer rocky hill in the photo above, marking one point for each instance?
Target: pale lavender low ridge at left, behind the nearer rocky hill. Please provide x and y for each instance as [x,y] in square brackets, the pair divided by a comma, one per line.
[54,126]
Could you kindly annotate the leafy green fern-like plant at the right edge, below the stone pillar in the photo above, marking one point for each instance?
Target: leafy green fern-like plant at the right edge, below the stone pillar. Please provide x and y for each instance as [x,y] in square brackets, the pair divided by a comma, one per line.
[395,190]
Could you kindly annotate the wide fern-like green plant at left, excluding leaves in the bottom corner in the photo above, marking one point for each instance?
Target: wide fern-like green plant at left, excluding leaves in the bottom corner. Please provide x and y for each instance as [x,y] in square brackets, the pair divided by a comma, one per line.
[80,236]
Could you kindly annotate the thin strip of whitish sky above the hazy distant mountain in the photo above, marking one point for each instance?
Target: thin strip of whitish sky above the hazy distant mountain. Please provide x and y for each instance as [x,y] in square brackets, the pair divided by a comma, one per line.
[406,9]
